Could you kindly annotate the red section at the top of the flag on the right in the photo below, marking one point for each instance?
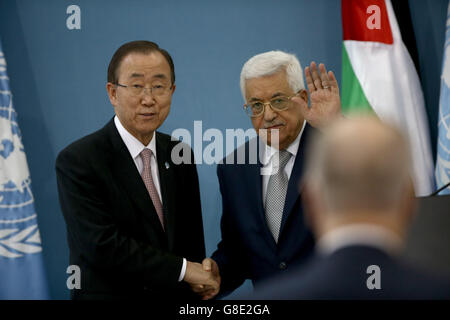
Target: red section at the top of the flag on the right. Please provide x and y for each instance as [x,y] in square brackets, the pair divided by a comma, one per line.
[366,20]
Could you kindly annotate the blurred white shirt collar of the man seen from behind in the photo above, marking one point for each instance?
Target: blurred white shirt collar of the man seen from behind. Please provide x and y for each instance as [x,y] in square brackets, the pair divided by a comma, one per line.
[359,234]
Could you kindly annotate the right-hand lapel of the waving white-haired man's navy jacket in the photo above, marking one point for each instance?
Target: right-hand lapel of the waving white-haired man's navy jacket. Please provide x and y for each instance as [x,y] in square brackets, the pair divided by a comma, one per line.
[293,192]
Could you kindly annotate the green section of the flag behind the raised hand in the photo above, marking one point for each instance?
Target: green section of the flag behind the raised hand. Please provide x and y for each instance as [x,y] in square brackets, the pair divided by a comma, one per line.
[353,97]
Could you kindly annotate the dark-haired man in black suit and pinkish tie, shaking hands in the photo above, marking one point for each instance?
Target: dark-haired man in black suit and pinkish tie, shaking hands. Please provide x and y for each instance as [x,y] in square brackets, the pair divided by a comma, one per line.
[133,217]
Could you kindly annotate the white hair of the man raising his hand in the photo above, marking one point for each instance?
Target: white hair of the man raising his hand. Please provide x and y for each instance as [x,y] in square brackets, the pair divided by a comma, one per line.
[271,62]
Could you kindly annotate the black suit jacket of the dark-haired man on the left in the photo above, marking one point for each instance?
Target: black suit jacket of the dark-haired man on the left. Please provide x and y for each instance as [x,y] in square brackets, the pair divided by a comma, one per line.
[113,230]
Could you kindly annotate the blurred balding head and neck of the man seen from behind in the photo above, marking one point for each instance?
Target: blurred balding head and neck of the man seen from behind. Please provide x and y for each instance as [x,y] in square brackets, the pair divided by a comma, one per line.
[359,171]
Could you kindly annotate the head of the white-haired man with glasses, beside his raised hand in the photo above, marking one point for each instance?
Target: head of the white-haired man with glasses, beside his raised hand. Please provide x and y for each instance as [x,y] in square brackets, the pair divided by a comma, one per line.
[274,77]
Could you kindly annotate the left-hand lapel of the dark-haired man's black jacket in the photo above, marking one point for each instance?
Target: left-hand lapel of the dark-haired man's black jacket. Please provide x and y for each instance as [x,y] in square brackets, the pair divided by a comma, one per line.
[127,175]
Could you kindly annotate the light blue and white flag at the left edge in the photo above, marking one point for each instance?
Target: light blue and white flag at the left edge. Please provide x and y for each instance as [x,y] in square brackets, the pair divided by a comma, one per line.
[22,274]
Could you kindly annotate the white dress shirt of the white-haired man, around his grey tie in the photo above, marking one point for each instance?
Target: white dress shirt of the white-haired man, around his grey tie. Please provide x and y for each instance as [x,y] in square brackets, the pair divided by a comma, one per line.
[270,166]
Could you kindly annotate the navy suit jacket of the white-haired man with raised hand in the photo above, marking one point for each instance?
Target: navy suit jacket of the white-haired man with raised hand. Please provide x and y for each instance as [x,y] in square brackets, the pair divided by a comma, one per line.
[247,249]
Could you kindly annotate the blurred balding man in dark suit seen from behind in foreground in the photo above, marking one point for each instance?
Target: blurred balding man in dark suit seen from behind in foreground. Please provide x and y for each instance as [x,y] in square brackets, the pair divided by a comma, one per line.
[359,199]
